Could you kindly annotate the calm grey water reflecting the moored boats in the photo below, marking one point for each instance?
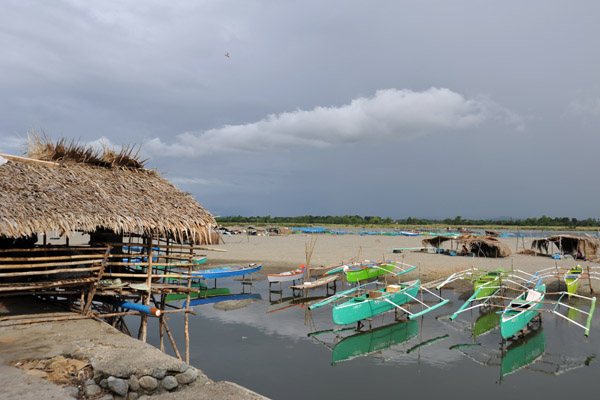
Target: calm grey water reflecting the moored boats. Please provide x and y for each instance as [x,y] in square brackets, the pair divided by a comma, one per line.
[279,350]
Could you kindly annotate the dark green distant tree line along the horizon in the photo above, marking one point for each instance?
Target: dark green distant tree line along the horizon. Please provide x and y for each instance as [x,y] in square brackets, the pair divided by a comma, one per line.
[350,220]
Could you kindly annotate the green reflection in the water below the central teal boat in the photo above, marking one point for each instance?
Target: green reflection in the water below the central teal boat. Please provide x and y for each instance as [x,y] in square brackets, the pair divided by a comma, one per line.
[365,343]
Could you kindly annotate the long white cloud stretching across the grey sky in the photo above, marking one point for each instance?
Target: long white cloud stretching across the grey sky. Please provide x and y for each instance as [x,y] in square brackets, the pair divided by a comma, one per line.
[390,114]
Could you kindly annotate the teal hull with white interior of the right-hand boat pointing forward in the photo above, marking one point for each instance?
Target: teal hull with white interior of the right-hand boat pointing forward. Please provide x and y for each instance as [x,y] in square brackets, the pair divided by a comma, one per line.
[521,310]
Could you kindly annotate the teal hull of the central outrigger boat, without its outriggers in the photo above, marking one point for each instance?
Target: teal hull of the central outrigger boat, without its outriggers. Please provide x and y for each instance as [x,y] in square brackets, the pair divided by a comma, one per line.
[362,307]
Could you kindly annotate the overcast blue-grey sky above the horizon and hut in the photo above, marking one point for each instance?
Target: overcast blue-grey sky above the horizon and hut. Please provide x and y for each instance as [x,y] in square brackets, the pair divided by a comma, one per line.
[432,109]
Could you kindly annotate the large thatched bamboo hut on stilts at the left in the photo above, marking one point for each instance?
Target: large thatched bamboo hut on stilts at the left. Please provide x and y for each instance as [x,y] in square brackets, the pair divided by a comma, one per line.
[134,224]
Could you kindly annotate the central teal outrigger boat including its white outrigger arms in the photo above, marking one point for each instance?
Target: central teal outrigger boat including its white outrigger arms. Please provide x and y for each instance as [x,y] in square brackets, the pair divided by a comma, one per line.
[362,304]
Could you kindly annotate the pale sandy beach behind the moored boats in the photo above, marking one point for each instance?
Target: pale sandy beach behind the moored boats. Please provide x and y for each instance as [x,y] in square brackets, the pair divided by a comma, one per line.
[285,252]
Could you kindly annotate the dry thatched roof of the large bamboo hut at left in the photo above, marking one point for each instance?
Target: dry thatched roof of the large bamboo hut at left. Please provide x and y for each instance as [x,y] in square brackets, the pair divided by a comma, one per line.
[107,191]
